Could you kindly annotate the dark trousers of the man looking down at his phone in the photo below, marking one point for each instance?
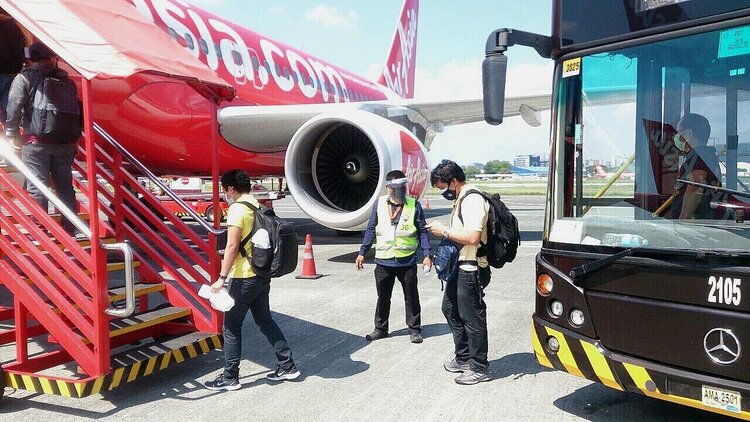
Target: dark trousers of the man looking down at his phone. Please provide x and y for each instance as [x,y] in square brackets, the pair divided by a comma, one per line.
[466,313]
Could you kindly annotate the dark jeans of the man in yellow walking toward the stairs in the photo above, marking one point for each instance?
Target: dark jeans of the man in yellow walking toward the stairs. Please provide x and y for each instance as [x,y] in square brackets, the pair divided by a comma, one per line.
[251,294]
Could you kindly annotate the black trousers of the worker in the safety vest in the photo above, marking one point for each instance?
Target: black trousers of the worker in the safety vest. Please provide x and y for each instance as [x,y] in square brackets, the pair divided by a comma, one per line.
[385,278]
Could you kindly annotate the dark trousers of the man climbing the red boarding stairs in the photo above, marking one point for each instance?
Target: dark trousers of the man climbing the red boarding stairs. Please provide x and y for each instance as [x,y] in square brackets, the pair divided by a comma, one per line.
[52,163]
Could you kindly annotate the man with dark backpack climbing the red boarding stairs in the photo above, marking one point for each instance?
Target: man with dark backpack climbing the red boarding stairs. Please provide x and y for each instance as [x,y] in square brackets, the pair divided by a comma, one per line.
[44,102]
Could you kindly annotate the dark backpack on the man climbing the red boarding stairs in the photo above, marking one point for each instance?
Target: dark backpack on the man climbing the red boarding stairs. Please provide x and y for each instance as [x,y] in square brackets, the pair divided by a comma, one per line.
[55,110]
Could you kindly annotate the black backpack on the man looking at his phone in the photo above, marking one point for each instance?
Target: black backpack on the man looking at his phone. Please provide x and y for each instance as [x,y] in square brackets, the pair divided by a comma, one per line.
[503,237]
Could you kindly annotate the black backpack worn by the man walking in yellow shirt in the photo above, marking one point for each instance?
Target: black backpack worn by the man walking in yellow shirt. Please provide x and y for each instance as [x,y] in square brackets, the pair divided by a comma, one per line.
[281,258]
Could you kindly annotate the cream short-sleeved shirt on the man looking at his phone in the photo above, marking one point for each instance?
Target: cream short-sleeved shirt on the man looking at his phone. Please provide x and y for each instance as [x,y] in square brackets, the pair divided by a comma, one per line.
[474,211]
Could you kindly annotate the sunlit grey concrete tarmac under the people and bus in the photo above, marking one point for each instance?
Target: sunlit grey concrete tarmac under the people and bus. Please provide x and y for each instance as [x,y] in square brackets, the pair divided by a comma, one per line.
[346,377]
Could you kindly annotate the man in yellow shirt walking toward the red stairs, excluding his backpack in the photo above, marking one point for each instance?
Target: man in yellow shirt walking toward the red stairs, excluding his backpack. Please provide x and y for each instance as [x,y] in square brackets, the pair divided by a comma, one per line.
[249,290]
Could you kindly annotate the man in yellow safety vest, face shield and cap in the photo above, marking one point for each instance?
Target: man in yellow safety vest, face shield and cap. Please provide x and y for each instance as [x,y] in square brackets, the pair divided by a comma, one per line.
[397,227]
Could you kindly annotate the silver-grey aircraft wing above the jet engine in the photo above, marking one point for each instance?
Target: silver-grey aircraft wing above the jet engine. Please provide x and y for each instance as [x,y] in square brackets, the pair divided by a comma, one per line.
[270,128]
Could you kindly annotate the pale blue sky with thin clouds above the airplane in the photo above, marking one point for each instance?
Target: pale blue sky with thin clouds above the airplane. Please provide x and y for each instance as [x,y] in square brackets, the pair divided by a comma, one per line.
[451,36]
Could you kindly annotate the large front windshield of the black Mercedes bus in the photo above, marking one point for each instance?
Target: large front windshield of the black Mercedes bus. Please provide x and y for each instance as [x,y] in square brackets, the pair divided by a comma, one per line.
[652,145]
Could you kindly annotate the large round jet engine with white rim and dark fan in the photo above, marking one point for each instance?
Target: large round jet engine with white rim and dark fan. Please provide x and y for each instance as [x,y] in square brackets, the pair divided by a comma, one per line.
[336,164]
